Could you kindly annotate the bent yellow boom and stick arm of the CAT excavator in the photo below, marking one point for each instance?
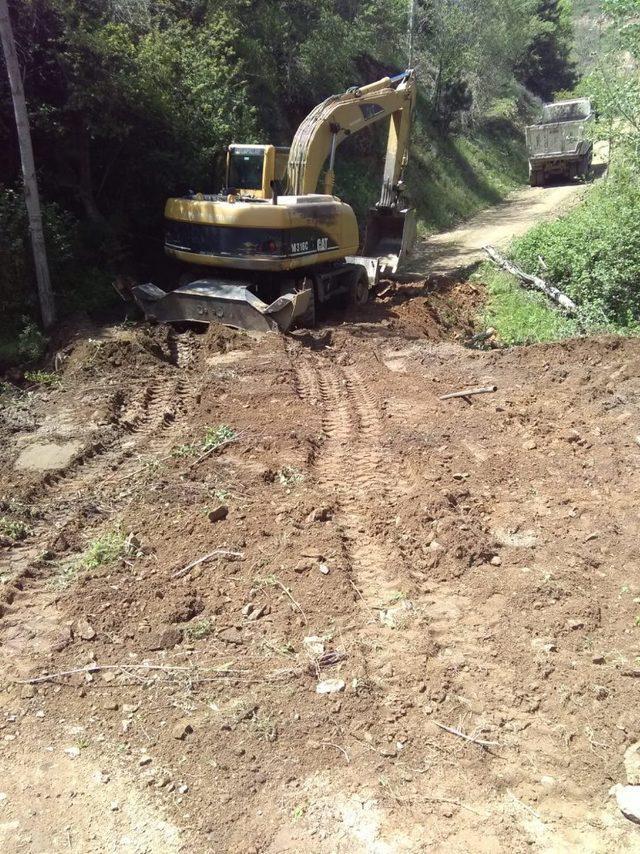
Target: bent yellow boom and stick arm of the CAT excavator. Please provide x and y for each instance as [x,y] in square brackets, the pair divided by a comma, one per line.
[340,116]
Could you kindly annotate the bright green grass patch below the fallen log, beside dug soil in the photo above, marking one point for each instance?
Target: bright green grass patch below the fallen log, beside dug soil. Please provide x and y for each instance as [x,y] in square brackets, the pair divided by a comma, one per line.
[519,316]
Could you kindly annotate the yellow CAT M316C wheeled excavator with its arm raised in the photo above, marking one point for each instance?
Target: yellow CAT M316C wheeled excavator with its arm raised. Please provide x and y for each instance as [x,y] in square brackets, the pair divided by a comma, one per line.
[266,250]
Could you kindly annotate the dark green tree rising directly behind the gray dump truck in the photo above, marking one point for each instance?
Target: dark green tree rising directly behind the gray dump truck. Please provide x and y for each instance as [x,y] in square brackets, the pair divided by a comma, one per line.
[548,67]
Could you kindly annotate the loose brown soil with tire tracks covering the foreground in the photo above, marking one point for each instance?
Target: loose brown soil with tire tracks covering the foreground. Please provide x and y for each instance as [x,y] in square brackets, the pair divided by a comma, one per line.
[468,564]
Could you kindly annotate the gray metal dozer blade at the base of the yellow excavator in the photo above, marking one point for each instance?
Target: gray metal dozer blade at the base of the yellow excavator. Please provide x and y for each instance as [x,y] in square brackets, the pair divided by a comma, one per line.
[211,300]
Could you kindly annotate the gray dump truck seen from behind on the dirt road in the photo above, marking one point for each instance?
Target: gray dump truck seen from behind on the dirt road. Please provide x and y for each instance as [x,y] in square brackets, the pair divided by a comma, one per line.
[559,144]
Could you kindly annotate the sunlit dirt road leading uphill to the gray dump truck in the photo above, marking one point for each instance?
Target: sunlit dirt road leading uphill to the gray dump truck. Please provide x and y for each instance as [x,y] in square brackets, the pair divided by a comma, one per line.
[460,248]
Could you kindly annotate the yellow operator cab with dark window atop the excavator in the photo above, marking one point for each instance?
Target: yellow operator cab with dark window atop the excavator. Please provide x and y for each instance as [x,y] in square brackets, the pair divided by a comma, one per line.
[252,168]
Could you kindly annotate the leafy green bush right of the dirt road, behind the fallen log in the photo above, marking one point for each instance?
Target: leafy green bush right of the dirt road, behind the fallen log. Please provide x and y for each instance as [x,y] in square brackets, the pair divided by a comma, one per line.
[593,253]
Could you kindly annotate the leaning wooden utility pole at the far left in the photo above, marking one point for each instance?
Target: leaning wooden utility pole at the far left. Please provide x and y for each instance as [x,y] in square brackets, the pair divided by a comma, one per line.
[31,196]
